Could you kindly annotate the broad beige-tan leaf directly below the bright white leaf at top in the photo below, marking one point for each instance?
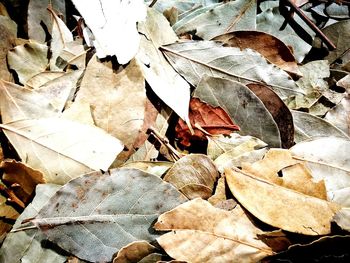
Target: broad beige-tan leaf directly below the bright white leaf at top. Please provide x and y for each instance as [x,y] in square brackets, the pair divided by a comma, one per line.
[117,98]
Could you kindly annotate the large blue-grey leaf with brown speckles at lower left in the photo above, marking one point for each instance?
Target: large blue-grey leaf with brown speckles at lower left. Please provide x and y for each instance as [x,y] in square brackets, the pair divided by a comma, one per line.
[95,215]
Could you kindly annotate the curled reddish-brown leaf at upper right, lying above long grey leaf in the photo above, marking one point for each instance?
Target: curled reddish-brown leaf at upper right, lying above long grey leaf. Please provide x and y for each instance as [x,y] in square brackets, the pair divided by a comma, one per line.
[273,49]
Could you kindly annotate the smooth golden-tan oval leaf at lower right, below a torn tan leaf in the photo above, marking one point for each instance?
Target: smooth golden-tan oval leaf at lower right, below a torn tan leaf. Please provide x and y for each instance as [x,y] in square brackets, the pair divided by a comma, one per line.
[276,205]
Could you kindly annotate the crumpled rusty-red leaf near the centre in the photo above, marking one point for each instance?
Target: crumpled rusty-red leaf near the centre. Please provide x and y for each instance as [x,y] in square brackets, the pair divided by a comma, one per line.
[205,119]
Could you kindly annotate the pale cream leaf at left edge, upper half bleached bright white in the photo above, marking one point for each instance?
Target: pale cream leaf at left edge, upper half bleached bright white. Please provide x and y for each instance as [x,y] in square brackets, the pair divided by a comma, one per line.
[62,149]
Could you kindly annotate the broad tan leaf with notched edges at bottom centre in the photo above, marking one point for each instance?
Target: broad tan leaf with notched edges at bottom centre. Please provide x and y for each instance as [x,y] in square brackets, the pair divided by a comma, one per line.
[203,233]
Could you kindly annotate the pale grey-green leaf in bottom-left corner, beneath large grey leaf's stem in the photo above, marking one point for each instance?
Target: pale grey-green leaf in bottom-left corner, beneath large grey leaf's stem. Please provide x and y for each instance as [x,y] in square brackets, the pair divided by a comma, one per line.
[31,245]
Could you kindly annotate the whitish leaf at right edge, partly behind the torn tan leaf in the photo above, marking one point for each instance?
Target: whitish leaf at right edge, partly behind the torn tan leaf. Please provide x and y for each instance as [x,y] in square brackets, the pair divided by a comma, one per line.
[328,159]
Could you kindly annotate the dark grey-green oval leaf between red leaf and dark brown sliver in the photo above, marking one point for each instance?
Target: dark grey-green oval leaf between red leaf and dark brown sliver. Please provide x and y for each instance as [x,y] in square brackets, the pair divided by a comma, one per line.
[245,109]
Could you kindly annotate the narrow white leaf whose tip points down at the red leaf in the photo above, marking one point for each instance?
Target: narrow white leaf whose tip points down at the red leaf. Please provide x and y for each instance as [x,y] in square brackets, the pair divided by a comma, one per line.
[169,86]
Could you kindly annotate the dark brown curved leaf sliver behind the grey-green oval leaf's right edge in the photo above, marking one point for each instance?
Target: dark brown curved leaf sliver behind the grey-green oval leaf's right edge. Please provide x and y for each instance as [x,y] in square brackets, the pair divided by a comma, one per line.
[279,111]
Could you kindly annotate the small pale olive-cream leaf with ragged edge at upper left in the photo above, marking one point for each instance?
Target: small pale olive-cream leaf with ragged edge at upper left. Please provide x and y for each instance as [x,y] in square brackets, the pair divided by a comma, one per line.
[28,60]
